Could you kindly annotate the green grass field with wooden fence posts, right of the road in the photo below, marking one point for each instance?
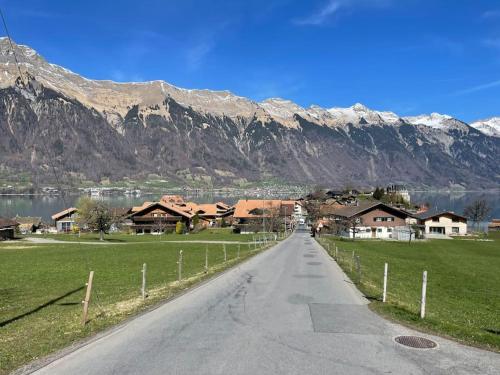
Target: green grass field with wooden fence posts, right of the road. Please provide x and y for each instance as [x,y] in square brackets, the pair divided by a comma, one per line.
[463,290]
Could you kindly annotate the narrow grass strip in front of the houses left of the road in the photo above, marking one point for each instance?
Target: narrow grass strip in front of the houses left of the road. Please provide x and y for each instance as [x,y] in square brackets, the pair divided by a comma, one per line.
[215,234]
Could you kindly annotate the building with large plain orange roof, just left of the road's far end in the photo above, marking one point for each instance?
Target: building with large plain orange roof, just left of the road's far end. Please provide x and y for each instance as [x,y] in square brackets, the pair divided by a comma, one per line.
[257,215]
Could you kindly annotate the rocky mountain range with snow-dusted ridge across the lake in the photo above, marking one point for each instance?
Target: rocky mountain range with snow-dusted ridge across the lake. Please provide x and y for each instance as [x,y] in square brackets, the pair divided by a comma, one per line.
[56,123]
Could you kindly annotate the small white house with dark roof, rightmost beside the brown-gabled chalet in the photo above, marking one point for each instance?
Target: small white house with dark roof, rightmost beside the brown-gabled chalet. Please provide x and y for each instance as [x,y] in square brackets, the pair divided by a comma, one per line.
[439,223]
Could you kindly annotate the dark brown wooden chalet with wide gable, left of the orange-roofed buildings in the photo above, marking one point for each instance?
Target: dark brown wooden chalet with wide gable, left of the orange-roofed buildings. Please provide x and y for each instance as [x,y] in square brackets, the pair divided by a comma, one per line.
[159,217]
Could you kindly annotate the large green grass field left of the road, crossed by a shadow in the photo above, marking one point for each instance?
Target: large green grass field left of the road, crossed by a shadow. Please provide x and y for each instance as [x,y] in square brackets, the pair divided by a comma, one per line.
[42,286]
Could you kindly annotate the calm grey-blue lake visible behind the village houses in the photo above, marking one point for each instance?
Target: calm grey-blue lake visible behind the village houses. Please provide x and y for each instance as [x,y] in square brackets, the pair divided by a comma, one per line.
[45,206]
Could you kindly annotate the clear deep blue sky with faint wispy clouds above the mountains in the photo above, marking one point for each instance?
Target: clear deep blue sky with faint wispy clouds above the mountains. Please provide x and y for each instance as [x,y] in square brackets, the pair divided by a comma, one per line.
[408,56]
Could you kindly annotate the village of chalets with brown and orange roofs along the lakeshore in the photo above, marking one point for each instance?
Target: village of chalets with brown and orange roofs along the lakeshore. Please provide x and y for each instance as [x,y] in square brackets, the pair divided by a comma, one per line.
[381,214]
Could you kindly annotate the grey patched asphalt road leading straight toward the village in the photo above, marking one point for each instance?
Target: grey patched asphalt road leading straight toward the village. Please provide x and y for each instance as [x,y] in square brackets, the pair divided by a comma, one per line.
[289,310]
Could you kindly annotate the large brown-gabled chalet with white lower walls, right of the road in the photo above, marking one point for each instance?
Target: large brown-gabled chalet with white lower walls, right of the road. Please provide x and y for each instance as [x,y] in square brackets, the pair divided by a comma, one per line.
[368,220]
